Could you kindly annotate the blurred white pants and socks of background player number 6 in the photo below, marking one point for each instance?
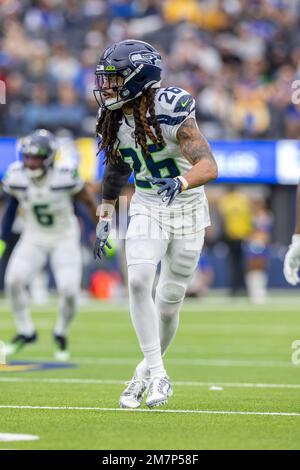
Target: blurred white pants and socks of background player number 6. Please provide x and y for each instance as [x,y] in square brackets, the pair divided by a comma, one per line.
[26,261]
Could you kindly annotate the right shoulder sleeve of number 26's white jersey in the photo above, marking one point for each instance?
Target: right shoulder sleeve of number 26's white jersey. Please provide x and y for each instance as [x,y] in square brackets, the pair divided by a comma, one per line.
[182,108]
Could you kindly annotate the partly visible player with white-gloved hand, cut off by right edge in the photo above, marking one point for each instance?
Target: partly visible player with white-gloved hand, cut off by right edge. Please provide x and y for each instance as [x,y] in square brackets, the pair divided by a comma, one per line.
[292,258]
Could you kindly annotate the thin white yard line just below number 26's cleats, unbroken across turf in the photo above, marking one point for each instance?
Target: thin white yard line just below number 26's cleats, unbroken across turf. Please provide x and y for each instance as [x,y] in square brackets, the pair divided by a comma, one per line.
[143,410]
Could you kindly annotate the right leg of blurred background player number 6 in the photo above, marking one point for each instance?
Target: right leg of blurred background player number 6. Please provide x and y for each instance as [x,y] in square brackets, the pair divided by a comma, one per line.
[67,268]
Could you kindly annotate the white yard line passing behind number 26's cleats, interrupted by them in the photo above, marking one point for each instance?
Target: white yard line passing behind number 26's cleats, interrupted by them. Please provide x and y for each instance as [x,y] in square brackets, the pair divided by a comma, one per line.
[121,382]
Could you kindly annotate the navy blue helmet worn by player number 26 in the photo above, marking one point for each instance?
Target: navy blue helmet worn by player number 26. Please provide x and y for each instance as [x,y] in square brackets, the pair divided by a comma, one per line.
[136,62]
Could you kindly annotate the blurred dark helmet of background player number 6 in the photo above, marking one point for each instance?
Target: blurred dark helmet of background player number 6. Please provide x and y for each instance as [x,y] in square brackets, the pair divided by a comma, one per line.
[38,152]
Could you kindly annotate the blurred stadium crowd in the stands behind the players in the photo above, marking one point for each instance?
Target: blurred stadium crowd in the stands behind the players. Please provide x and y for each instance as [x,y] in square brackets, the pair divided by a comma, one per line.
[237,57]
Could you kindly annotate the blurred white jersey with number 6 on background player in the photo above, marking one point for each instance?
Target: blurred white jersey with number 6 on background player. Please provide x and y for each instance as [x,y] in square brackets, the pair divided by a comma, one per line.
[47,205]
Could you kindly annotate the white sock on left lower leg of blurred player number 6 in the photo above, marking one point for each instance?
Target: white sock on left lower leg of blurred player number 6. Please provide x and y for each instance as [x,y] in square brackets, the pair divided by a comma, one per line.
[18,299]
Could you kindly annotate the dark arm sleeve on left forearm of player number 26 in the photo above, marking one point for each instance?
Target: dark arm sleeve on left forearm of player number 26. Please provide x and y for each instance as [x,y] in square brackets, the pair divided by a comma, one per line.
[114,179]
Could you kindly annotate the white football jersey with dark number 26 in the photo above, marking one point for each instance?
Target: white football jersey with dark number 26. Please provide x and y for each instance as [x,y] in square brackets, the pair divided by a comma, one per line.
[172,106]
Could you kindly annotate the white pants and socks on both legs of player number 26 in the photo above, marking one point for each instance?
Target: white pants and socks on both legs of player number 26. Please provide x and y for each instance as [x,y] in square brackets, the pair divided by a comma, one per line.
[156,322]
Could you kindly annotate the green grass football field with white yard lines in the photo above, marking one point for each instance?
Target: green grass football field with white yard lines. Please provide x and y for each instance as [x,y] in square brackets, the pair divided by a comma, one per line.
[235,386]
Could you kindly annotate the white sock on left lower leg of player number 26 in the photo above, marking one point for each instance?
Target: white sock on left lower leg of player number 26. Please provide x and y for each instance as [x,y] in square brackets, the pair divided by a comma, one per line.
[143,315]
